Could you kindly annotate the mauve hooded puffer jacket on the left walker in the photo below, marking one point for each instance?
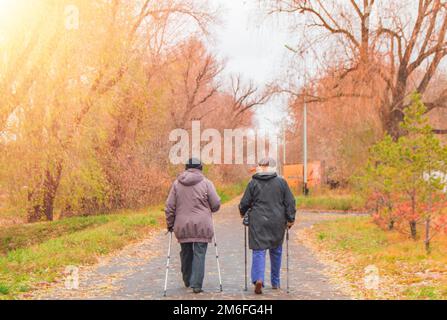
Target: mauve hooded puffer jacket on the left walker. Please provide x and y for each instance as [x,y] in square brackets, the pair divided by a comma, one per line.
[190,204]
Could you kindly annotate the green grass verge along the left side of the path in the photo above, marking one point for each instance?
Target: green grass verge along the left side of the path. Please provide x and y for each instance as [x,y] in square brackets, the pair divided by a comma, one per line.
[21,269]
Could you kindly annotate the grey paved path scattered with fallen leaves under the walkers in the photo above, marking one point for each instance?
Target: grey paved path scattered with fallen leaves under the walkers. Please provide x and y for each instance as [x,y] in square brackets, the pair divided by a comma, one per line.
[138,272]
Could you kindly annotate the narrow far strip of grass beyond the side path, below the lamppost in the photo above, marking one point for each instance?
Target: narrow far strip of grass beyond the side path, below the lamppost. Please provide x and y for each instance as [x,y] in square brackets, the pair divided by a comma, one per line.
[330,202]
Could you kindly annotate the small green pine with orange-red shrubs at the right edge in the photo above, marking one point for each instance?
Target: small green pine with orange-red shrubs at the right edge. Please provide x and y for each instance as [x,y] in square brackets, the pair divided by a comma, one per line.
[403,177]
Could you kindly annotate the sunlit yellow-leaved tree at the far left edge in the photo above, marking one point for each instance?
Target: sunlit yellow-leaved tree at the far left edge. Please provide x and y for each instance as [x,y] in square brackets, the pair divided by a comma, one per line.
[58,76]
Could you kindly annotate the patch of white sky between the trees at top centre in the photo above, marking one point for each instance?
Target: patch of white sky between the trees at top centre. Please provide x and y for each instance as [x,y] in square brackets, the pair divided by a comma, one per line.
[252,45]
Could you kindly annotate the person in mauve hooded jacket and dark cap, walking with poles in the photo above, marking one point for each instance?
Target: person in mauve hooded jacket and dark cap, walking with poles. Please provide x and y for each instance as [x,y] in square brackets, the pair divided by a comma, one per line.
[190,204]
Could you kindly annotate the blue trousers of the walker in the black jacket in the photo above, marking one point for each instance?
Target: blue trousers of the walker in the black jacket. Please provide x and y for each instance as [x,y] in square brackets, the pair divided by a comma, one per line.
[258,266]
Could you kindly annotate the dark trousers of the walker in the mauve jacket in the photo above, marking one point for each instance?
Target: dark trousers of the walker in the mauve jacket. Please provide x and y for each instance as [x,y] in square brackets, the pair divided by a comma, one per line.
[193,256]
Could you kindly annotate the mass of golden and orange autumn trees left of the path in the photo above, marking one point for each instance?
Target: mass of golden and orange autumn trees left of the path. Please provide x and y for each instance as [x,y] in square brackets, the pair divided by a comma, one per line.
[89,95]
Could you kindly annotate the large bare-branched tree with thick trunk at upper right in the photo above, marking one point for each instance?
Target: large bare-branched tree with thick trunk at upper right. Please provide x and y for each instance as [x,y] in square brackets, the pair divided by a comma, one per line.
[395,45]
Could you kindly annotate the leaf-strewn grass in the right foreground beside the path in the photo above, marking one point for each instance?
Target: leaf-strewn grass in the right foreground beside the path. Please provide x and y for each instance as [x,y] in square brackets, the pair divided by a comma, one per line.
[352,244]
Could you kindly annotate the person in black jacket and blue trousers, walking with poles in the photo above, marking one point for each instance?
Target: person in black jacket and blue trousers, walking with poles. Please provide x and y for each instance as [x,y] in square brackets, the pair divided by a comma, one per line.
[270,206]
